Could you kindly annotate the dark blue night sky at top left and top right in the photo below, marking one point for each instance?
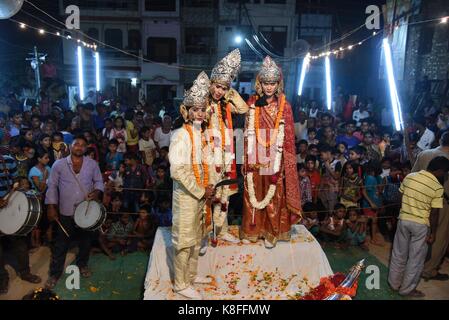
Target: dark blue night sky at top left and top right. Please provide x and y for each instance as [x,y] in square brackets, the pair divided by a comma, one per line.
[353,71]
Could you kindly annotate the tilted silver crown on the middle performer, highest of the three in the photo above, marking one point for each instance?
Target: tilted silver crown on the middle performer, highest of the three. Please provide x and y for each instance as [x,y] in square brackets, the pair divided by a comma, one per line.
[227,69]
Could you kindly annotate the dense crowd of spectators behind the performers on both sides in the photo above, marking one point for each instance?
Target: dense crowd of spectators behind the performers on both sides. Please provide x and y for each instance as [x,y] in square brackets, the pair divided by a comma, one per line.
[350,161]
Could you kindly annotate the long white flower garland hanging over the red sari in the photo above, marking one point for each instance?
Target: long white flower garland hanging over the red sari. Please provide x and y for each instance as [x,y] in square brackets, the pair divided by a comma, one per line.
[277,161]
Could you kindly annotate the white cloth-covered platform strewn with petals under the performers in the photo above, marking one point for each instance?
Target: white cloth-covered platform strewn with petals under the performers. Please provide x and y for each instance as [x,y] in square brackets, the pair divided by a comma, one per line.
[243,271]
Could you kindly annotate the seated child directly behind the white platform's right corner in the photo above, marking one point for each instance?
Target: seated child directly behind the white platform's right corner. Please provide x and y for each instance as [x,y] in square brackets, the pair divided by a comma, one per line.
[333,228]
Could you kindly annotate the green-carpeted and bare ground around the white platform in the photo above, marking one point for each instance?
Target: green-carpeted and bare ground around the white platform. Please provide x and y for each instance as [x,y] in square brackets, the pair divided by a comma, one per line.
[122,279]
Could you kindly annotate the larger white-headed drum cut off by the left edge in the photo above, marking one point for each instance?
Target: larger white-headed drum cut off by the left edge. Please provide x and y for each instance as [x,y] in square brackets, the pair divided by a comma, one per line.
[21,215]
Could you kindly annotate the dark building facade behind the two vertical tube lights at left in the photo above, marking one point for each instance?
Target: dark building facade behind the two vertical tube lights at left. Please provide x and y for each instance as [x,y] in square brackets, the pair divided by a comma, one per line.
[116,24]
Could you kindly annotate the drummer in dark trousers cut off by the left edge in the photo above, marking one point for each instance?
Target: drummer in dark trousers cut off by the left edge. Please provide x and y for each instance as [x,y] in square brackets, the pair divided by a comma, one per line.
[19,247]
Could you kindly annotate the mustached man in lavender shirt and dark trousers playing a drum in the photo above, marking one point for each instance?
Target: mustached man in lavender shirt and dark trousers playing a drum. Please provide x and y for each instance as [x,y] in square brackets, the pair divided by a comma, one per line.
[70,179]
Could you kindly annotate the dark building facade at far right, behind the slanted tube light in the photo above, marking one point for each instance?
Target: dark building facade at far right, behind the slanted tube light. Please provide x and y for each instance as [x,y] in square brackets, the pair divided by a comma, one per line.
[420,50]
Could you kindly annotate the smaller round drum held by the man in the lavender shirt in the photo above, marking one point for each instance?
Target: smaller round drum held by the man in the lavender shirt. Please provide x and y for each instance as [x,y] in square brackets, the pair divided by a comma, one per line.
[90,215]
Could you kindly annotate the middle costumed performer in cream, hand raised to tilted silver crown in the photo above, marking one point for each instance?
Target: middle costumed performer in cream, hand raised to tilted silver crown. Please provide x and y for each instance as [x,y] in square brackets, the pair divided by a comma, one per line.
[223,102]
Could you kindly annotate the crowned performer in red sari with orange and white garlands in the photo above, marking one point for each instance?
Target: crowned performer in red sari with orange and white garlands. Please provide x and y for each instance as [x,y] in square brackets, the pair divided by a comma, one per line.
[271,202]
